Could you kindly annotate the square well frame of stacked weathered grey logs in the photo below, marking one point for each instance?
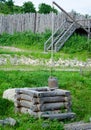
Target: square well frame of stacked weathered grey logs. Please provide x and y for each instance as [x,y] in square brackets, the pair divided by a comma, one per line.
[41,101]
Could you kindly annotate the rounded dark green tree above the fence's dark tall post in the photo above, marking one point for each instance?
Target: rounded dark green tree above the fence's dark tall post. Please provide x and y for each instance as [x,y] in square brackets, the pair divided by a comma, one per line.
[28,7]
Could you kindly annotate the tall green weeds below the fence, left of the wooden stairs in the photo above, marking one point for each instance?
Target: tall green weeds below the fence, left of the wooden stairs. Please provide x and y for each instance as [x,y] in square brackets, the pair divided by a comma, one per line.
[25,39]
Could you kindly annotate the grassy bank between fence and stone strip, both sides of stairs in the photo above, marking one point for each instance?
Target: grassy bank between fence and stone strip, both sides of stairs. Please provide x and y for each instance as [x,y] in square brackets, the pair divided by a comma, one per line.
[33,45]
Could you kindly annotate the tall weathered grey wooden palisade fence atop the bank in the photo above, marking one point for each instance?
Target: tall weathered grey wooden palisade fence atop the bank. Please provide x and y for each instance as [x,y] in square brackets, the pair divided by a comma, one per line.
[38,23]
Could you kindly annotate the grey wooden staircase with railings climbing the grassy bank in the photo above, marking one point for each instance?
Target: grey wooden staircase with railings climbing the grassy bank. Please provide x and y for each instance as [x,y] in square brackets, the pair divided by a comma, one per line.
[60,36]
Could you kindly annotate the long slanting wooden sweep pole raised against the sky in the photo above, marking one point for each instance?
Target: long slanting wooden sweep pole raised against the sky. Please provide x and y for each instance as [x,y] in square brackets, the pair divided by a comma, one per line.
[70,17]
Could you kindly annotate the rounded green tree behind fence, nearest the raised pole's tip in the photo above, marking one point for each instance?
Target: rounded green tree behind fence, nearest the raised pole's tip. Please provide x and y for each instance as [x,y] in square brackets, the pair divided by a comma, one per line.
[45,8]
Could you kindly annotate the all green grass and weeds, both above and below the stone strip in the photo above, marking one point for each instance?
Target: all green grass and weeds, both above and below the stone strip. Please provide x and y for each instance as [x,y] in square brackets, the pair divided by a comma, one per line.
[37,76]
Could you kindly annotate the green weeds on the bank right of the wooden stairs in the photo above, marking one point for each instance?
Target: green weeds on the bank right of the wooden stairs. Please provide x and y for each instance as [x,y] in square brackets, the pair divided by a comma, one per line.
[77,43]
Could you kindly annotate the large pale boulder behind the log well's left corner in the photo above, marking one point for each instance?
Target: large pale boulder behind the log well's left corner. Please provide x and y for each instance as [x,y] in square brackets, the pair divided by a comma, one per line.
[9,94]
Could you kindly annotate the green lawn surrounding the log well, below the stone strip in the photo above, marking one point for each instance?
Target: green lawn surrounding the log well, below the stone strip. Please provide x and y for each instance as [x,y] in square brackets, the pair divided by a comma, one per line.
[79,86]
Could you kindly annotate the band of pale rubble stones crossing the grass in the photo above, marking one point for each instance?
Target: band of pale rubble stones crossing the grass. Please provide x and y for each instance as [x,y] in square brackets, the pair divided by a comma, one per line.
[23,60]
